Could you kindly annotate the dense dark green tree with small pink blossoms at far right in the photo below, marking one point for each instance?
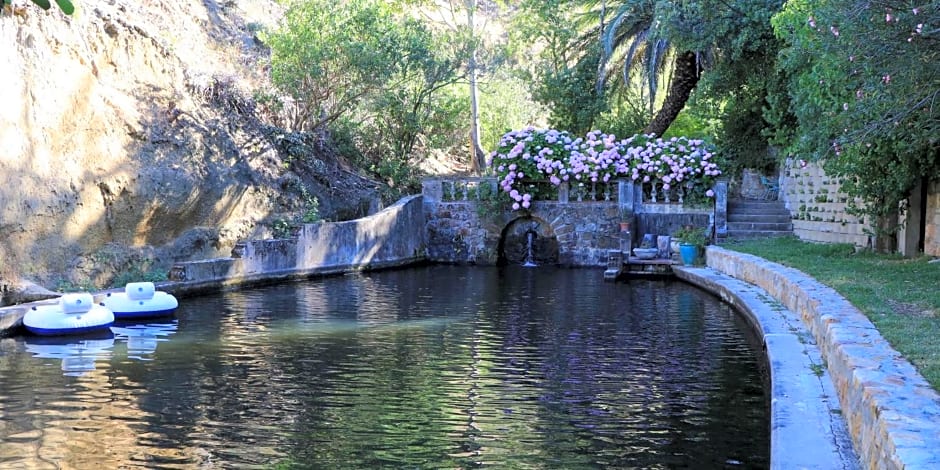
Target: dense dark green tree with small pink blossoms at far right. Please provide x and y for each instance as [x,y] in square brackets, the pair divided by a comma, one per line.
[863,78]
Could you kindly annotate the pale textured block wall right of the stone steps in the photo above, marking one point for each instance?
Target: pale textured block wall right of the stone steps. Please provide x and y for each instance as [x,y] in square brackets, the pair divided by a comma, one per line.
[818,206]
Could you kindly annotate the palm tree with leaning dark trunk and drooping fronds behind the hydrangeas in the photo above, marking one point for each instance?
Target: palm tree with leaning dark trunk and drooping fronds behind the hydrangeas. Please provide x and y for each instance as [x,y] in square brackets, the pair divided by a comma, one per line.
[696,36]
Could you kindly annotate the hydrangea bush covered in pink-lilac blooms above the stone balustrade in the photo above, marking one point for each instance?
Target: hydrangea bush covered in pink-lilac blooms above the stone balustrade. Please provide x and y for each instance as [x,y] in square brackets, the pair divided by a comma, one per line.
[529,156]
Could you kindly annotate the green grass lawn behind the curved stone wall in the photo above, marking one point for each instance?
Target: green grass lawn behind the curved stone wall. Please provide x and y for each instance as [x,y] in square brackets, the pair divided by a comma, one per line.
[901,296]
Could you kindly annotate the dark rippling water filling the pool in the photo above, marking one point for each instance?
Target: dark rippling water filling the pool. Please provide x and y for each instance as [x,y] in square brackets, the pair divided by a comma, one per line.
[430,367]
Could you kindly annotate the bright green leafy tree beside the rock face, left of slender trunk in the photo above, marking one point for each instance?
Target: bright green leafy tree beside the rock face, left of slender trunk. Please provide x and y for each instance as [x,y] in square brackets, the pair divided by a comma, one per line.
[371,73]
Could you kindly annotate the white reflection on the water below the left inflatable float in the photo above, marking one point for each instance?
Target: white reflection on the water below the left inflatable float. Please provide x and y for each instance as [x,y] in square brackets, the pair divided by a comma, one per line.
[77,356]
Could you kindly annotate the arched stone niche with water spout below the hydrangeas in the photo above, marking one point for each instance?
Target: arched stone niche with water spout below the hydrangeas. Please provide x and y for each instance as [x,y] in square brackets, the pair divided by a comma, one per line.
[527,237]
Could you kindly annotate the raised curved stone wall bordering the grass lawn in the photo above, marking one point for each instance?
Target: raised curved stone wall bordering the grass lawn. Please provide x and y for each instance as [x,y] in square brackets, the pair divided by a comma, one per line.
[892,412]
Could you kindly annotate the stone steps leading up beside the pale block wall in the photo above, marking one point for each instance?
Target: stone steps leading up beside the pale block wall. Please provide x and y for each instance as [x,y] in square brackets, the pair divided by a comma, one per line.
[757,219]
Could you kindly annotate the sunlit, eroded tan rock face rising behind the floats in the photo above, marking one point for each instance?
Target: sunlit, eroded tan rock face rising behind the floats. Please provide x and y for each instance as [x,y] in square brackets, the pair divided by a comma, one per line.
[127,128]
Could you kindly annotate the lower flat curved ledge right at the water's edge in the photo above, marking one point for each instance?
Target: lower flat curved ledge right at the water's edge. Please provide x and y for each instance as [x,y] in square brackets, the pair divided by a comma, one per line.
[807,427]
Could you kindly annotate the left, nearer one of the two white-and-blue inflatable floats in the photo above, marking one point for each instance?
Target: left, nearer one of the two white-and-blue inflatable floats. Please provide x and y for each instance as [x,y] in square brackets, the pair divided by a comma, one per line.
[73,314]
